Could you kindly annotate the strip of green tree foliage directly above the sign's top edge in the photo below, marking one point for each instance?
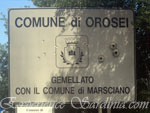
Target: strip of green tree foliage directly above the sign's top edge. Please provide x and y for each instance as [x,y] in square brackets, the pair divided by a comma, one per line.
[82,3]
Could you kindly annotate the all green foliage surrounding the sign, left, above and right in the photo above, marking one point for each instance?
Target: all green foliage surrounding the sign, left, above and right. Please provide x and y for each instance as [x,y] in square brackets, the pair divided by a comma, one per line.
[142,29]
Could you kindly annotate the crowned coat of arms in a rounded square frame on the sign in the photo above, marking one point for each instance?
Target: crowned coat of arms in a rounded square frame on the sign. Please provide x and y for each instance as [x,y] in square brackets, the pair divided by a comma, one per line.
[72,51]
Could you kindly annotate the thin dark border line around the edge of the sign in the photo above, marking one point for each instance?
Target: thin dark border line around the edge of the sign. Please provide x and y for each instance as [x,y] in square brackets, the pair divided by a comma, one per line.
[135,77]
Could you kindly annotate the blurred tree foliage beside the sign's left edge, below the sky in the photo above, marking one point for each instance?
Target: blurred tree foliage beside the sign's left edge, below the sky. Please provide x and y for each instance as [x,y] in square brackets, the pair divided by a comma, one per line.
[4,63]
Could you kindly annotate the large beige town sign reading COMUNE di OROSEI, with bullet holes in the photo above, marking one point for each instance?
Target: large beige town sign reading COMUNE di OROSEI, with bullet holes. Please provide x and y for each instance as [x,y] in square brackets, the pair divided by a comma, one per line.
[68,54]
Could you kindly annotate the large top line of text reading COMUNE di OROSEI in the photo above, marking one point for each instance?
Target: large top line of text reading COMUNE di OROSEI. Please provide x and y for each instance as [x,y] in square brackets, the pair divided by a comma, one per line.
[105,22]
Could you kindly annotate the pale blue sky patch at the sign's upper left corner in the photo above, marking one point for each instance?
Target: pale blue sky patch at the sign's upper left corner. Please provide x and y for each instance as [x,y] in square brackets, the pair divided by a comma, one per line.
[4,6]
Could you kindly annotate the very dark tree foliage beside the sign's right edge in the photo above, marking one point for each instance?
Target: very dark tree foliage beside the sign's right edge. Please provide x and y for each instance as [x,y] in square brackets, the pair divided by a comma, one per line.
[142,17]
